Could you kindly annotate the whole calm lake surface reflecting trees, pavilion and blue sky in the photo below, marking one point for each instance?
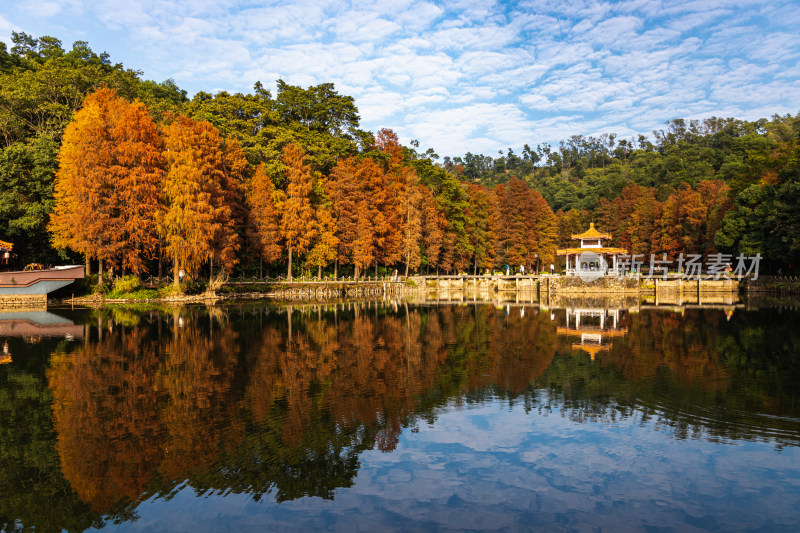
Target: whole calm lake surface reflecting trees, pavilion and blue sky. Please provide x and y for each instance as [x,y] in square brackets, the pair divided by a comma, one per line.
[393,417]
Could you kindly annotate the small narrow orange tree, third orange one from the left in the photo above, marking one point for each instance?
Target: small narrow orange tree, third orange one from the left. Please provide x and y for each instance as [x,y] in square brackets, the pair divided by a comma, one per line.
[263,230]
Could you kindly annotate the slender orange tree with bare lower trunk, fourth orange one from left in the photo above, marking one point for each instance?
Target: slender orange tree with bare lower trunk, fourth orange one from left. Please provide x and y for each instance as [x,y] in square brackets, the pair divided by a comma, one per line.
[297,220]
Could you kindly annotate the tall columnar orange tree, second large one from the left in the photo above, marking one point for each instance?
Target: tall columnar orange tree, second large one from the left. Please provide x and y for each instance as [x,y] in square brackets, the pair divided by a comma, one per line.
[197,222]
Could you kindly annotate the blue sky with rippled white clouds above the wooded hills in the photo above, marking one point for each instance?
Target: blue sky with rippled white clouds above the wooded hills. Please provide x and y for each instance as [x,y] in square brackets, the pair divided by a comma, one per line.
[467,75]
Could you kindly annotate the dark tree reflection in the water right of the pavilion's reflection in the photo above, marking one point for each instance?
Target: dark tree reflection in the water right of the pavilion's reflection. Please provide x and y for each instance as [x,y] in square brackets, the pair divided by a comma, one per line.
[696,375]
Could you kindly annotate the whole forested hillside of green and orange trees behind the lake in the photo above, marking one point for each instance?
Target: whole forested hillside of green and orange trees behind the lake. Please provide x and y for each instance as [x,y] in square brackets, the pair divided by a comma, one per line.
[100,165]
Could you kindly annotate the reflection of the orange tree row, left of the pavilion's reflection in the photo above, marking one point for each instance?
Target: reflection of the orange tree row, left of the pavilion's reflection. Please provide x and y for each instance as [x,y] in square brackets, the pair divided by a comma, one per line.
[283,407]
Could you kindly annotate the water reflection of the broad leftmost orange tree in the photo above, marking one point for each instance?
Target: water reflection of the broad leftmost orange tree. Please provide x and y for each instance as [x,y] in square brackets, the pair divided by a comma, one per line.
[103,403]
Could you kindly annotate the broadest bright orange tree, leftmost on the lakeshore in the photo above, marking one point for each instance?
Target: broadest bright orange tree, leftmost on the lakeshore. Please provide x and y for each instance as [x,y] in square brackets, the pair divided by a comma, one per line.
[107,185]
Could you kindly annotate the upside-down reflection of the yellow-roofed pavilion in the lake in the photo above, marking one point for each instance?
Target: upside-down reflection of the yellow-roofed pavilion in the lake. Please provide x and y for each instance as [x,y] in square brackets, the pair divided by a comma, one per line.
[594,326]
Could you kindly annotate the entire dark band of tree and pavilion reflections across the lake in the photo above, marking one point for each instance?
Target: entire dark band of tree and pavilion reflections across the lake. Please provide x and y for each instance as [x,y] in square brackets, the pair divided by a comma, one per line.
[283,402]
